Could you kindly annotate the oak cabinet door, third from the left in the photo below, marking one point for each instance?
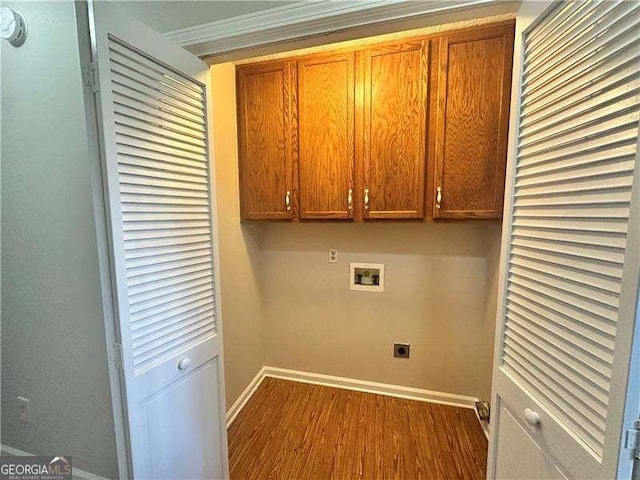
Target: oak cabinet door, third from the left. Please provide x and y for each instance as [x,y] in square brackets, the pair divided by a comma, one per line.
[394,123]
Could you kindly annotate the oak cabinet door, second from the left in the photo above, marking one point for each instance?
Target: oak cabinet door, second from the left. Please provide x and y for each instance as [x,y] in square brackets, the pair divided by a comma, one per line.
[326,149]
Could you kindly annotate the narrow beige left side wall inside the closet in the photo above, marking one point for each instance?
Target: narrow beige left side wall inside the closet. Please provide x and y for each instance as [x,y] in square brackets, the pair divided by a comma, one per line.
[240,251]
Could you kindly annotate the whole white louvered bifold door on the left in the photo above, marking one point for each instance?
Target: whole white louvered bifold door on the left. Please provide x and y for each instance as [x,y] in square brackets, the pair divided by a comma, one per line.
[153,112]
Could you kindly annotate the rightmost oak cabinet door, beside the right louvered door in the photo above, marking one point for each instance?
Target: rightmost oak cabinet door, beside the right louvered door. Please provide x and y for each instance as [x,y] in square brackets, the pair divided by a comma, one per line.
[474,86]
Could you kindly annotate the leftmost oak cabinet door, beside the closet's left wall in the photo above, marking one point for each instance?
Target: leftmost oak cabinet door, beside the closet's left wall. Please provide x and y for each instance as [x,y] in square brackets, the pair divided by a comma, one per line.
[266,124]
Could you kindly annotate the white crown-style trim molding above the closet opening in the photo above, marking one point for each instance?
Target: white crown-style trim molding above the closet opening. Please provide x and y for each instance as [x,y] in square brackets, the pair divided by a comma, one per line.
[304,19]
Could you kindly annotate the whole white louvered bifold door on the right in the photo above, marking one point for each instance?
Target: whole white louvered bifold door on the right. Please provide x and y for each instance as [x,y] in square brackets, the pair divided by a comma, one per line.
[570,259]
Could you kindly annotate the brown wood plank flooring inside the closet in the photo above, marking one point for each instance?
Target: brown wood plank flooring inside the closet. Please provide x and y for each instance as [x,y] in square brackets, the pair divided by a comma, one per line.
[291,430]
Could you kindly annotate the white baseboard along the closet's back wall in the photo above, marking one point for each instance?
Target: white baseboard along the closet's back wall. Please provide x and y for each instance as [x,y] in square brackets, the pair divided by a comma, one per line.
[372,387]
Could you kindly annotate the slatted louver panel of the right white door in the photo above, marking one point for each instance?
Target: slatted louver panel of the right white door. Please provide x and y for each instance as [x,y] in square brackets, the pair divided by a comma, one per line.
[575,159]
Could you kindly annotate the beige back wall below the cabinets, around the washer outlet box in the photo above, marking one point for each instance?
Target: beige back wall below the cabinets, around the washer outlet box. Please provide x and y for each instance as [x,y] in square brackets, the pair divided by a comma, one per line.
[439,296]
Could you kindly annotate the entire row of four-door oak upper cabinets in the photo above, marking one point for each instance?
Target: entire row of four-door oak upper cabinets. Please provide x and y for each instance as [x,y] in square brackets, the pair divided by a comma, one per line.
[398,131]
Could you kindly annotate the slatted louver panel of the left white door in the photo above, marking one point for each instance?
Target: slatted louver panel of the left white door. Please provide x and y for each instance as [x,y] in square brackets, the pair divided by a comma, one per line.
[163,180]
